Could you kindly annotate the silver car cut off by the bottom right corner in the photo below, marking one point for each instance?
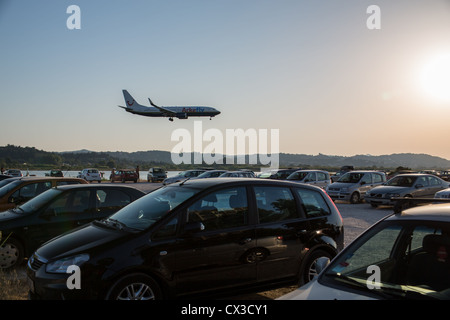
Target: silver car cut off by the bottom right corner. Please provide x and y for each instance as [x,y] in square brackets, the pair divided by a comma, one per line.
[404,256]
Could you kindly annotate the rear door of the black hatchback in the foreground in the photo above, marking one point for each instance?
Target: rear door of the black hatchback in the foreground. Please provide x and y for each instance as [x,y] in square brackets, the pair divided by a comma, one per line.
[280,233]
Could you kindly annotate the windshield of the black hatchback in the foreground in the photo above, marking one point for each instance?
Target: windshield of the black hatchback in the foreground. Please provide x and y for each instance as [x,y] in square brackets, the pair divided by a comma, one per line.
[144,212]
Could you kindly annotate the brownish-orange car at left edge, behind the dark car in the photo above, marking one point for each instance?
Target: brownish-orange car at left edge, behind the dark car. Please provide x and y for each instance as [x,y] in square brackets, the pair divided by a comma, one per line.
[23,189]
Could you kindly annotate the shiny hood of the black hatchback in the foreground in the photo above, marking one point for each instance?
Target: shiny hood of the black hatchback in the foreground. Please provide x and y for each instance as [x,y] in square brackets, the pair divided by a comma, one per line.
[79,240]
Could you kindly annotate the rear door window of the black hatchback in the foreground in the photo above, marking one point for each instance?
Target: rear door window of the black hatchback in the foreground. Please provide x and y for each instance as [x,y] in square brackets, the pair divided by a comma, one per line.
[275,204]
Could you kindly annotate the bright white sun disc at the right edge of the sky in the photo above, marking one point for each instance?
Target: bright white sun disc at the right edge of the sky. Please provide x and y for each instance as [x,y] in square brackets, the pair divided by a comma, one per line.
[435,77]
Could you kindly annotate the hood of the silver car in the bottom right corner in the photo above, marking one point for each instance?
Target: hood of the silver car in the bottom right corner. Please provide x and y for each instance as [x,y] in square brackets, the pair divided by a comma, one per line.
[316,291]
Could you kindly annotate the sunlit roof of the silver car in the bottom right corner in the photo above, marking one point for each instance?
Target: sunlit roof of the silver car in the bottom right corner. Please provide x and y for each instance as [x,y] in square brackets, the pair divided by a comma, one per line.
[431,212]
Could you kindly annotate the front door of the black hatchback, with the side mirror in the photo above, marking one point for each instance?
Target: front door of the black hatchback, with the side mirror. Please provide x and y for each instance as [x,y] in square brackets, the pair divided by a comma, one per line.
[215,246]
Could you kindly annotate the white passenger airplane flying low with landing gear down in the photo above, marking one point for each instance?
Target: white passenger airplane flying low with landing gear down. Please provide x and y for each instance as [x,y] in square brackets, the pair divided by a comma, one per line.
[171,112]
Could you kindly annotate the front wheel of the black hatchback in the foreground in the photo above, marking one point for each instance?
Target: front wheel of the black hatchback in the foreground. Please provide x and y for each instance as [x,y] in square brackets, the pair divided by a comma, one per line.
[135,287]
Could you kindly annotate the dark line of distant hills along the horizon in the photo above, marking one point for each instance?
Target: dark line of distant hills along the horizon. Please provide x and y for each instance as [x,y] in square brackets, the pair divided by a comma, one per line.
[11,155]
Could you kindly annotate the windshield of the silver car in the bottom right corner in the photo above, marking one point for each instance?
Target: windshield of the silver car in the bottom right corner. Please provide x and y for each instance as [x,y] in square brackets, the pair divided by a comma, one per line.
[401,260]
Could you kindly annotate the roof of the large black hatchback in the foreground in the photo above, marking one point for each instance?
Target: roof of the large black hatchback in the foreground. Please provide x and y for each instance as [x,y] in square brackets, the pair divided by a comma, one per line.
[212,182]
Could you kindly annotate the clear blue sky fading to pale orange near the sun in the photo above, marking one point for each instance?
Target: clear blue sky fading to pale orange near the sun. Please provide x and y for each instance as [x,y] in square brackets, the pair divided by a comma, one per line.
[315,70]
